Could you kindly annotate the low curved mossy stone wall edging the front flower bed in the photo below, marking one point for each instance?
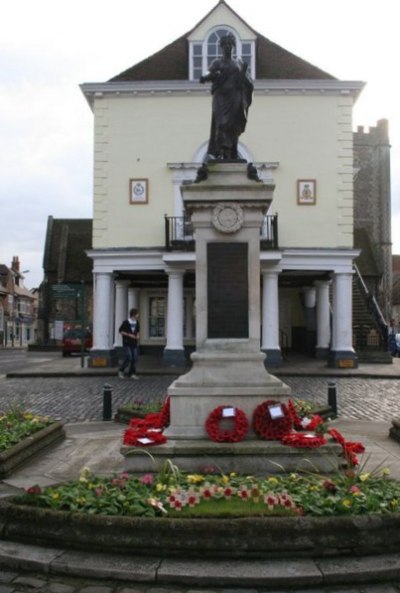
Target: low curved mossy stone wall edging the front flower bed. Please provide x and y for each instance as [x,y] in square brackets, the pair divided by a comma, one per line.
[245,538]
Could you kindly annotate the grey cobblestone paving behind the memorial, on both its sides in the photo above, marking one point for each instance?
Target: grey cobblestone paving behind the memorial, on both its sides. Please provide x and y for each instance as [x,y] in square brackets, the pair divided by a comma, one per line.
[79,399]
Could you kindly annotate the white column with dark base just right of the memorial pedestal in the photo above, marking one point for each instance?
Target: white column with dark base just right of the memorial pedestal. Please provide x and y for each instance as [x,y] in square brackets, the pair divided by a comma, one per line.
[270,319]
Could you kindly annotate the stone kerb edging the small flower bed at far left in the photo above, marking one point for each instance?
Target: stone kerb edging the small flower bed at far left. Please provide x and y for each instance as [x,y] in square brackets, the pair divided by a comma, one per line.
[15,456]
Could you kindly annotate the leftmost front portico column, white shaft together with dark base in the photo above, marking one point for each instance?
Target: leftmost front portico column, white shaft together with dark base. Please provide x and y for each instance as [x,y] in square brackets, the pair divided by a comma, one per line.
[102,353]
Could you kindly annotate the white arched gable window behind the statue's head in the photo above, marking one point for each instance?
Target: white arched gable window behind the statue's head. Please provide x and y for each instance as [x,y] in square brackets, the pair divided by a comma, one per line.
[203,53]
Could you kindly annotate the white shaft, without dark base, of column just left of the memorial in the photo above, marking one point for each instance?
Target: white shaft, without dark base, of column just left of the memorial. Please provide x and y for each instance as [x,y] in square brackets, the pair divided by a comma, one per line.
[175,310]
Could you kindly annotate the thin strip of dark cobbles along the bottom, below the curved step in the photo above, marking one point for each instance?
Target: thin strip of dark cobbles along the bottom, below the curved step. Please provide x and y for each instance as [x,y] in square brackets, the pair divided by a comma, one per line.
[13,582]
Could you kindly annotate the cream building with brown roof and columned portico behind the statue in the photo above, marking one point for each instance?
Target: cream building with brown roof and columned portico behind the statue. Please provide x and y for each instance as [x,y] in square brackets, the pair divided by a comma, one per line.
[151,132]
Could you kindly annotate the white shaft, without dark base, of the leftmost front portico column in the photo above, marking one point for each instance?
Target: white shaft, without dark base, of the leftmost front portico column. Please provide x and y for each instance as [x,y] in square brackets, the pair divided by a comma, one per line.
[102,311]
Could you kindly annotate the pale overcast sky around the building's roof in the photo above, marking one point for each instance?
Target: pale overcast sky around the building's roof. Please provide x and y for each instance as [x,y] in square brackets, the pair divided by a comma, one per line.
[49,47]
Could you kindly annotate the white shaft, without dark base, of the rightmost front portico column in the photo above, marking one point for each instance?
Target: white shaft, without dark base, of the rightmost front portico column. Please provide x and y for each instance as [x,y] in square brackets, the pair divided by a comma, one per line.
[342,330]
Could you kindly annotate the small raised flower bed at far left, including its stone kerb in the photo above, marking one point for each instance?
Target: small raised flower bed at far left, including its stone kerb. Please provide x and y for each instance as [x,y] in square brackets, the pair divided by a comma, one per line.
[23,435]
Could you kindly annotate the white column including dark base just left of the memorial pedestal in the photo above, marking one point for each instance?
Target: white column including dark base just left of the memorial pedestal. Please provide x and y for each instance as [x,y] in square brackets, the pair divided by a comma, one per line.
[174,354]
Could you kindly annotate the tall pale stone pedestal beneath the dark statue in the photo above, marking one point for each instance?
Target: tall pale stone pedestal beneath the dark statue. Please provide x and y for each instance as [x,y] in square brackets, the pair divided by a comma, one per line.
[227,210]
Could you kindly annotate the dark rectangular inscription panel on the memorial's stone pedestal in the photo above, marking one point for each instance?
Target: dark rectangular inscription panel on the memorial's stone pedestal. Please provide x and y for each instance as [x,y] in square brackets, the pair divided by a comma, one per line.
[227,290]
